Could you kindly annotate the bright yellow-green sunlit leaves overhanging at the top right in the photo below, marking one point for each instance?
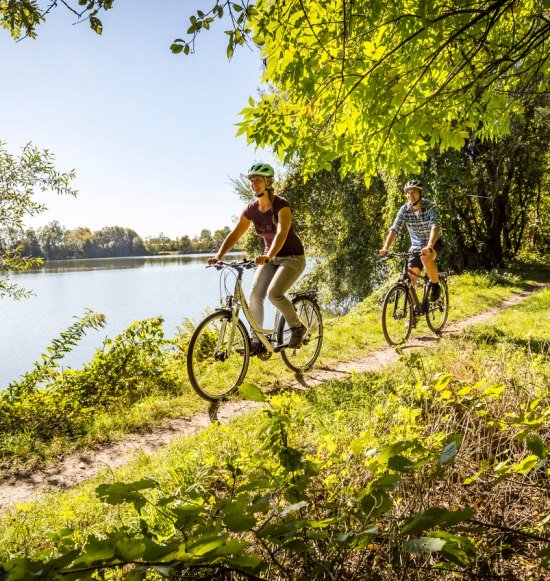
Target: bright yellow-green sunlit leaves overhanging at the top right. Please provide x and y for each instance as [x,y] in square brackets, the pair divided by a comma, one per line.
[409,74]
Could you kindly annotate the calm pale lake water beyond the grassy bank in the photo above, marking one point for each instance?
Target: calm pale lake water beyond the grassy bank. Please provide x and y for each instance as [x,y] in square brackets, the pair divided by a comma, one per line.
[123,289]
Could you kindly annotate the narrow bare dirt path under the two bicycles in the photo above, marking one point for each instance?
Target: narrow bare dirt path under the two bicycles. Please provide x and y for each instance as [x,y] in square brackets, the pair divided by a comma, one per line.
[18,487]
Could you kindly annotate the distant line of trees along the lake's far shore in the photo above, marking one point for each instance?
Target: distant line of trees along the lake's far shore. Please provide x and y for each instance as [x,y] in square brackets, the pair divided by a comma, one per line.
[54,242]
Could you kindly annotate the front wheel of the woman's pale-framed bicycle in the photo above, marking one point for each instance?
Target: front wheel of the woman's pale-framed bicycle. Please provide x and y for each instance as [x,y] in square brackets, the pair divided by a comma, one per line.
[218,356]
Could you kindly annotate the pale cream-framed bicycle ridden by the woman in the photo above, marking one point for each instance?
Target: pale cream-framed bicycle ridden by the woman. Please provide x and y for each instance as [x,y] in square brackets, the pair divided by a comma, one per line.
[219,349]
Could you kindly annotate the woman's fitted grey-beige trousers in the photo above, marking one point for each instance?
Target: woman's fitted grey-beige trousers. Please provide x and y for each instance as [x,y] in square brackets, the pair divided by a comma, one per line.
[273,280]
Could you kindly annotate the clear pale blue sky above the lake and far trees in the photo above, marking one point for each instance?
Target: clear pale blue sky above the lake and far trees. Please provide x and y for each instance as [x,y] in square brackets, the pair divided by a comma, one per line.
[150,134]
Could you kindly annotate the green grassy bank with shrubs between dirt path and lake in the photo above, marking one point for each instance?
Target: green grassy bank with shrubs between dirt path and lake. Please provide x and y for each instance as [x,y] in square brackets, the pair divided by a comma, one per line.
[142,379]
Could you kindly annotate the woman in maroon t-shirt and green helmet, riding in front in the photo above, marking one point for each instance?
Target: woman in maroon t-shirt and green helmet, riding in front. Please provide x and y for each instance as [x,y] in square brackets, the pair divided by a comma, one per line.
[283,258]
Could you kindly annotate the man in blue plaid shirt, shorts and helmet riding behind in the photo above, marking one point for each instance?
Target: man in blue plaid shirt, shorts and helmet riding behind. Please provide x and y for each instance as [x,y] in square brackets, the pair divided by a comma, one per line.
[421,218]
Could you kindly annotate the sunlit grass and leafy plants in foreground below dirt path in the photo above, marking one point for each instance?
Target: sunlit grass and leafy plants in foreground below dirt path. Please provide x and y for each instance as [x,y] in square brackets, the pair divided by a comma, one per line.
[434,468]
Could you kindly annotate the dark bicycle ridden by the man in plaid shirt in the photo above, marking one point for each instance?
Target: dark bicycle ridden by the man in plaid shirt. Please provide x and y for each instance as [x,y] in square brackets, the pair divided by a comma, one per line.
[403,307]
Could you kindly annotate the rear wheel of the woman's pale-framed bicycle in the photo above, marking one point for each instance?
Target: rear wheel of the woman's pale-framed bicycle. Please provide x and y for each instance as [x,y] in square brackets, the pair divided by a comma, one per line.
[303,358]
